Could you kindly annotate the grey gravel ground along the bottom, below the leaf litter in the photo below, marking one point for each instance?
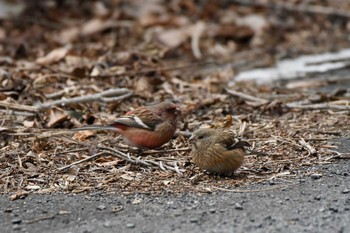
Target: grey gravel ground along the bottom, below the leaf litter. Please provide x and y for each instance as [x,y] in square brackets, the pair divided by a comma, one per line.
[318,203]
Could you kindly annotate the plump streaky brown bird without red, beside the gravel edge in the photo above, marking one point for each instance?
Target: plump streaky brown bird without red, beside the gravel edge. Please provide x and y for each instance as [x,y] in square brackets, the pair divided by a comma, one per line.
[217,150]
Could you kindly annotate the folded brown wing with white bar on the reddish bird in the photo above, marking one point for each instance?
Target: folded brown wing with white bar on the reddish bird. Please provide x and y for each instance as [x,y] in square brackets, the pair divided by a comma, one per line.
[141,118]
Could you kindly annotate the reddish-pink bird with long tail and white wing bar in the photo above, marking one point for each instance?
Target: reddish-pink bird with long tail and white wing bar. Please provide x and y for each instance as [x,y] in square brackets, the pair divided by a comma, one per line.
[145,127]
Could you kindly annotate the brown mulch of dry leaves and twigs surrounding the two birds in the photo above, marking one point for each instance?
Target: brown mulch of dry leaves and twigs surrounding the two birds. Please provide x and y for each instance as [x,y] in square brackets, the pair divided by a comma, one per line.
[85,62]
